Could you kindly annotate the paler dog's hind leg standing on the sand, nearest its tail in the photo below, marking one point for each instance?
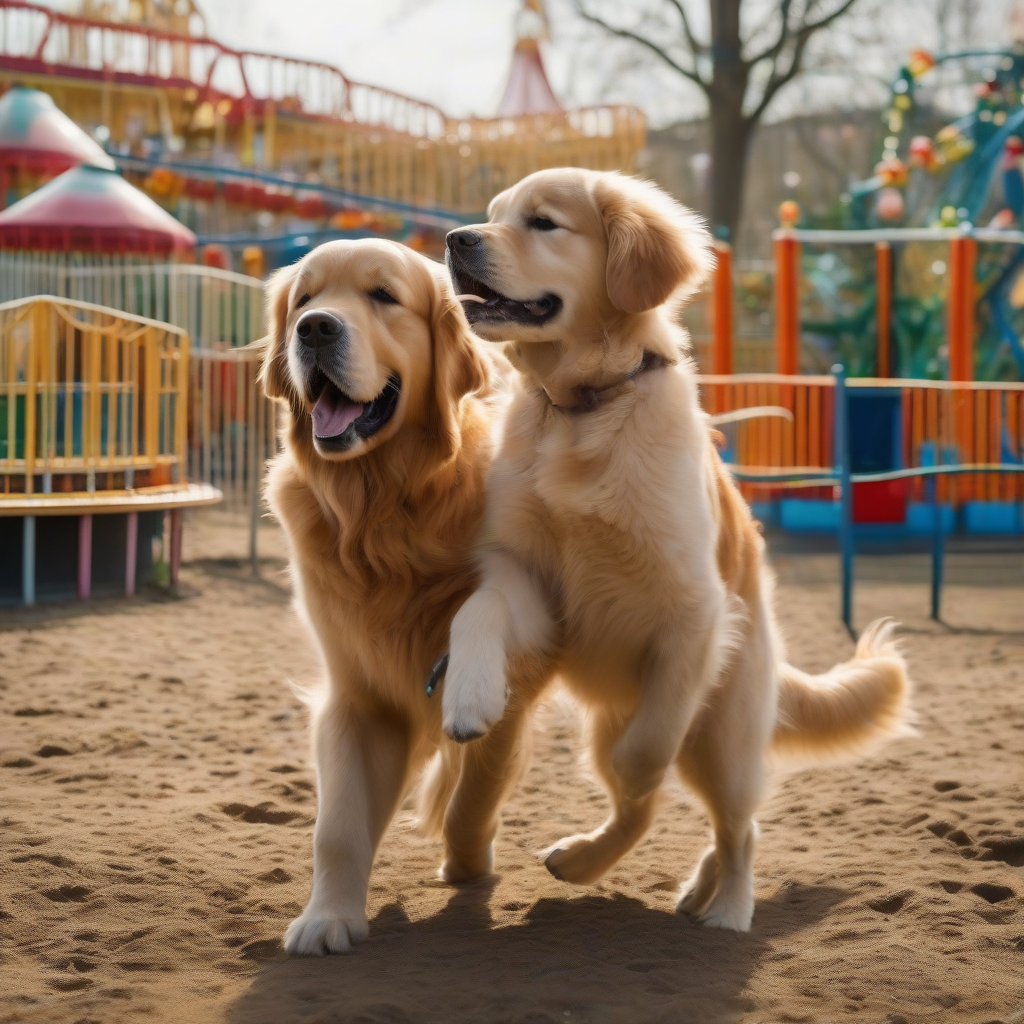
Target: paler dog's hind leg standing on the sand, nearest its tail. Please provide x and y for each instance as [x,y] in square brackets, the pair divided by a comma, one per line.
[723,761]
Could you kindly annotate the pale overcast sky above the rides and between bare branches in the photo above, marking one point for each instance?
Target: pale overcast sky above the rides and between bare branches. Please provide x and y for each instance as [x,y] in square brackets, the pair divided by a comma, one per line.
[456,54]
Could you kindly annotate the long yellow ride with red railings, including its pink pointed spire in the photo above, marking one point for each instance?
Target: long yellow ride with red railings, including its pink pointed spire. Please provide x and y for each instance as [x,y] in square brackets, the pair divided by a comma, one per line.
[223,137]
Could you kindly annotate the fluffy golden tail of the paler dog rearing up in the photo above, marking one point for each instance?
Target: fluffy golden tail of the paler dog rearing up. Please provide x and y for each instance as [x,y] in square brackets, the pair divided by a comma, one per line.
[849,707]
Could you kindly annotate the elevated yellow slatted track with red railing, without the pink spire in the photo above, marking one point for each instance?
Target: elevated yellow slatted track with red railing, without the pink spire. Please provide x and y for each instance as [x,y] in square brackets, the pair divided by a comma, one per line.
[160,93]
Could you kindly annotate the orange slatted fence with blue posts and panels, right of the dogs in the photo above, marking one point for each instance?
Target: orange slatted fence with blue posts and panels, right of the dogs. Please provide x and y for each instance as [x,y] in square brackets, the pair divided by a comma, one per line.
[955,443]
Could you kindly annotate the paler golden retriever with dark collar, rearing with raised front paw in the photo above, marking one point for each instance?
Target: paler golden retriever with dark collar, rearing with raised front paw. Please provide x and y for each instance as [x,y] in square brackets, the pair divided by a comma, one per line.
[617,551]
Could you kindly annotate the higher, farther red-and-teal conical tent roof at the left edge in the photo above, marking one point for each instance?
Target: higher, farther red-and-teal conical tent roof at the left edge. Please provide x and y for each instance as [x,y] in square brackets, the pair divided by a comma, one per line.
[37,143]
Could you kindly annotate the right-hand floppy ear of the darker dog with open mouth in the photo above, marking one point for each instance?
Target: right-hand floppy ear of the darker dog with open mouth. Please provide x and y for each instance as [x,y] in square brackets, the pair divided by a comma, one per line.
[460,368]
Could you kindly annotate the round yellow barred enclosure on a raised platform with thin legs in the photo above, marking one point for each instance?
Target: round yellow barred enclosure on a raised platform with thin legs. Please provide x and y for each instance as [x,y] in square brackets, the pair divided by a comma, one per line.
[94,449]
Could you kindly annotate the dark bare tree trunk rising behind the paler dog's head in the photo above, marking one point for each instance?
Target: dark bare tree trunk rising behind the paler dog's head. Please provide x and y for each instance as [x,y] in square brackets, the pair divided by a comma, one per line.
[731,132]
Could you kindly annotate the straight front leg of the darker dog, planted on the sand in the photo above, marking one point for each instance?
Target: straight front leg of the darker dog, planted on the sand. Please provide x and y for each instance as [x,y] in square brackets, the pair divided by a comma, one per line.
[363,761]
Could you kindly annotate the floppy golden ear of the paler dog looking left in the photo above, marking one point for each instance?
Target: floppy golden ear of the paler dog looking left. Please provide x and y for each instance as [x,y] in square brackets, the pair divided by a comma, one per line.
[656,246]
